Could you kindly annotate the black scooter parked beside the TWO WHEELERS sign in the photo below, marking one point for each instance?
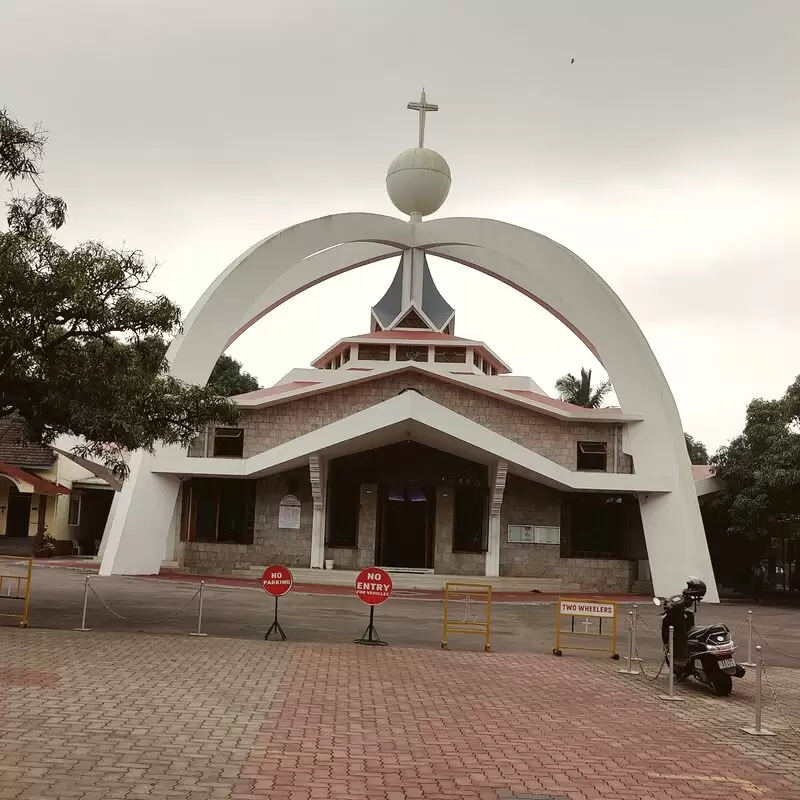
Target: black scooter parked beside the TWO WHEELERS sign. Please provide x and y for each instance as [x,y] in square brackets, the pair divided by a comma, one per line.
[701,652]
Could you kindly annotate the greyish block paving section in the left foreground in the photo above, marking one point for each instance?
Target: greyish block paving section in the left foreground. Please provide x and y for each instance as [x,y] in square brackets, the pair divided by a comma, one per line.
[107,716]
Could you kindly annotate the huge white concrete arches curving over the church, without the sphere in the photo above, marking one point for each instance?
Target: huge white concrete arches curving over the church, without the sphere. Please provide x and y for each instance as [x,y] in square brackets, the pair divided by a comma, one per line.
[291,260]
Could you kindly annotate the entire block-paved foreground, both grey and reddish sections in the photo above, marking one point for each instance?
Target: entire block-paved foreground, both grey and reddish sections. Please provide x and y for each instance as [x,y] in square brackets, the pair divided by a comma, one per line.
[114,715]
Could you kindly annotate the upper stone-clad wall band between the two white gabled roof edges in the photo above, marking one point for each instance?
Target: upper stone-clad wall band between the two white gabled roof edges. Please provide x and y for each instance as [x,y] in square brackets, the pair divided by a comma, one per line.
[555,439]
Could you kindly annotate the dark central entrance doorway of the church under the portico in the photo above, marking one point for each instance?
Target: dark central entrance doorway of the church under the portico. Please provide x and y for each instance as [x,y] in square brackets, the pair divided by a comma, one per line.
[405,529]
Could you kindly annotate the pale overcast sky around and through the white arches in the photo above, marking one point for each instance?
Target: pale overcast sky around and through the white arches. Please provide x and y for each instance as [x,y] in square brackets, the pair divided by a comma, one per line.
[666,156]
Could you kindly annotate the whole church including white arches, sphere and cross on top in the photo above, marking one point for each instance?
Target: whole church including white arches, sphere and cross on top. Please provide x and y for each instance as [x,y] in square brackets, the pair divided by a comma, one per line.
[409,446]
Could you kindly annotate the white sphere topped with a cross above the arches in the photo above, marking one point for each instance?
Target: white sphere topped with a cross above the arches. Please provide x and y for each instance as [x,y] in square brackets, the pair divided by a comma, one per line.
[418,180]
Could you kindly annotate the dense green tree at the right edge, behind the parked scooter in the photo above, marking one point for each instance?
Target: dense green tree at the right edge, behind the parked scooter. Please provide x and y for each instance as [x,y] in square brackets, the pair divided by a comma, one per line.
[760,468]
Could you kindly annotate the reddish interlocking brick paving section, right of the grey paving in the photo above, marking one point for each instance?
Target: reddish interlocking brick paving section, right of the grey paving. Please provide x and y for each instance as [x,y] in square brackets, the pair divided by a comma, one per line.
[419,724]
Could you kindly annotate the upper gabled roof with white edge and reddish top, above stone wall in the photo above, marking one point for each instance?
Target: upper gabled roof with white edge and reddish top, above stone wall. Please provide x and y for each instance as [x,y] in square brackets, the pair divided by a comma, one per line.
[338,379]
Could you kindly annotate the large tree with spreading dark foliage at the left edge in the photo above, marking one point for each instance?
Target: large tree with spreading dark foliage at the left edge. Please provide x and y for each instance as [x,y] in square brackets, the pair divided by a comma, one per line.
[81,338]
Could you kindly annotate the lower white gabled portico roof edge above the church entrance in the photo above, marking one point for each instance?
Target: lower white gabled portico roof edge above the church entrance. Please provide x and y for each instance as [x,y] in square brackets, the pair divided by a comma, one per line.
[412,416]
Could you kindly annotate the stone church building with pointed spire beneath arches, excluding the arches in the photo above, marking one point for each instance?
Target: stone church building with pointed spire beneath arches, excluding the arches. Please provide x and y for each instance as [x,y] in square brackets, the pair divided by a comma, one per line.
[404,448]
